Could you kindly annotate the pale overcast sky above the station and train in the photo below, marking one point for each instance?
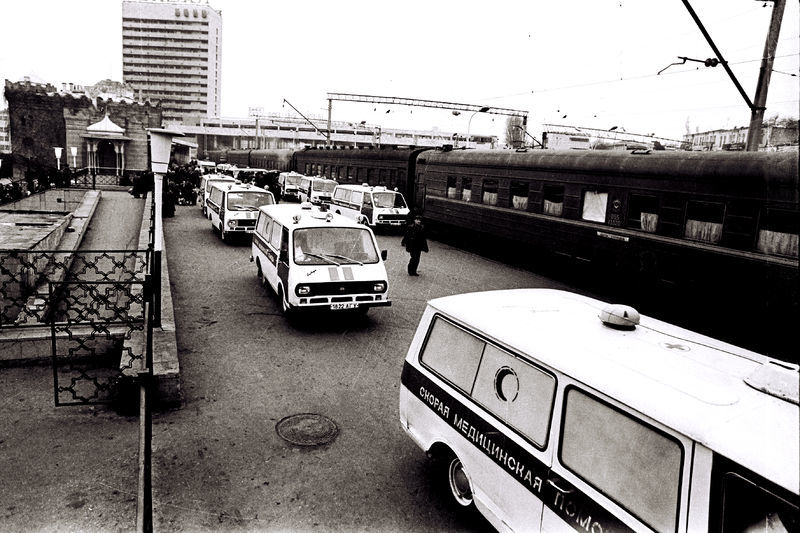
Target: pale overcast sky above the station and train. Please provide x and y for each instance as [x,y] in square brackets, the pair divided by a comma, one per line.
[590,63]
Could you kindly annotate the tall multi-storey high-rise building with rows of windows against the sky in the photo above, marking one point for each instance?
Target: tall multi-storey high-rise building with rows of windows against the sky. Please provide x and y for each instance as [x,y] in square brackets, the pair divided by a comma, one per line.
[171,52]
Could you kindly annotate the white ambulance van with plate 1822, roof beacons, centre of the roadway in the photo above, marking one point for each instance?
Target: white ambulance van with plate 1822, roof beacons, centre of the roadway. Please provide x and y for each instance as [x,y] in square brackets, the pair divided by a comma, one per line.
[314,259]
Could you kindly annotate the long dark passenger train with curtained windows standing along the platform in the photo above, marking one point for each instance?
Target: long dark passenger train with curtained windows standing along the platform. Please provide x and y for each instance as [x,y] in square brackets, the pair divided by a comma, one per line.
[713,236]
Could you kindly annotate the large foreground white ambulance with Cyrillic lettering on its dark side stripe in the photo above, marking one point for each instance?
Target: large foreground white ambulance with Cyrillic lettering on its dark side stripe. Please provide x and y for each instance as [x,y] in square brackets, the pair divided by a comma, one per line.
[549,411]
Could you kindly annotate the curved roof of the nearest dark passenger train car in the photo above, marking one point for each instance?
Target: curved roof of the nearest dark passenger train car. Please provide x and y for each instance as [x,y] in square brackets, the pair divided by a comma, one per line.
[777,167]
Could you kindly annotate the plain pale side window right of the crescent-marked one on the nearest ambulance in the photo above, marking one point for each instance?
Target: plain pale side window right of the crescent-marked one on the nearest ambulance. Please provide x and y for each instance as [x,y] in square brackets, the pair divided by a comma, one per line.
[631,462]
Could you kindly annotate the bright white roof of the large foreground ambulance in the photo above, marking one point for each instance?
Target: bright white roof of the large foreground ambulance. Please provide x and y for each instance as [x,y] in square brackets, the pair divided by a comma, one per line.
[691,383]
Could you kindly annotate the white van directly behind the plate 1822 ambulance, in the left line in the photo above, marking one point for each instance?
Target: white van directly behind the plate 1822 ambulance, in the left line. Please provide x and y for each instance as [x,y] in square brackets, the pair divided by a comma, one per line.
[233,207]
